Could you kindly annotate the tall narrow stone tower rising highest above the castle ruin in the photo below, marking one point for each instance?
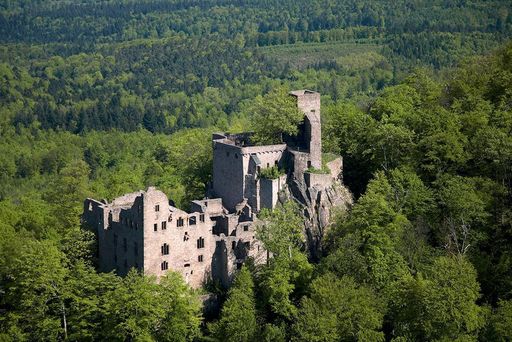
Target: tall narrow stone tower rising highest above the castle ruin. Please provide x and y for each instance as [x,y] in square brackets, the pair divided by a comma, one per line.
[309,102]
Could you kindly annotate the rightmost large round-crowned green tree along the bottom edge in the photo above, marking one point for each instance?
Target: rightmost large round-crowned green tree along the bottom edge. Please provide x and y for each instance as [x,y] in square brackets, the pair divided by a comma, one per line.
[441,306]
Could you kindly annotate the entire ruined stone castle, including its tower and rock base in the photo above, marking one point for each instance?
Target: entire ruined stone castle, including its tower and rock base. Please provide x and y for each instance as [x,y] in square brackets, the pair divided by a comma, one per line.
[142,230]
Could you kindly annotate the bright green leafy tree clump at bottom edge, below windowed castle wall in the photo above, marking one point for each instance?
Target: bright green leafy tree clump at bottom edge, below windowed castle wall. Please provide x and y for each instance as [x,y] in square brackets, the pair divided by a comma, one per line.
[140,309]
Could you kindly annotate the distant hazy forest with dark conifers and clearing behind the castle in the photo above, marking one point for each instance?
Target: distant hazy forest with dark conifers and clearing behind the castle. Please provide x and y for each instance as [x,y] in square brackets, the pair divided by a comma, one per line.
[166,65]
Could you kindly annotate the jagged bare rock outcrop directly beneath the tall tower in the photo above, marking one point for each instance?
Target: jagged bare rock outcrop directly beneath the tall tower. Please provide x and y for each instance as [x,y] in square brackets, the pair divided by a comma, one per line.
[319,196]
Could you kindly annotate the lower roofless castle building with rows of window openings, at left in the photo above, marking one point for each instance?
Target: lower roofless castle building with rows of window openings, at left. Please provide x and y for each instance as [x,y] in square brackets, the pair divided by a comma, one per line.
[143,231]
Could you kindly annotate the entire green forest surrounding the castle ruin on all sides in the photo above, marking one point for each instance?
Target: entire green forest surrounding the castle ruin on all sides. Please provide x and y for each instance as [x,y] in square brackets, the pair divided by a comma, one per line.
[101,98]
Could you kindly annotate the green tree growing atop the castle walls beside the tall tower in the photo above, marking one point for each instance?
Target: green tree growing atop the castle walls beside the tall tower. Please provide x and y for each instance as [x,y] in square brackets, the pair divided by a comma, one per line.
[275,114]
